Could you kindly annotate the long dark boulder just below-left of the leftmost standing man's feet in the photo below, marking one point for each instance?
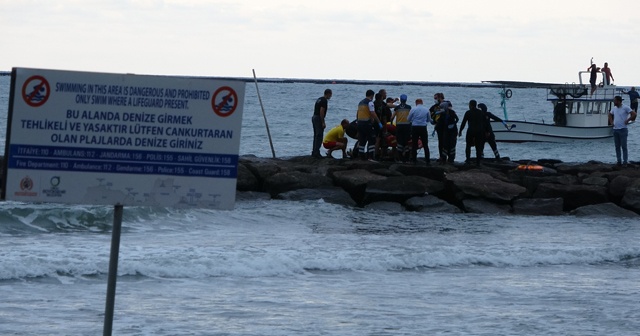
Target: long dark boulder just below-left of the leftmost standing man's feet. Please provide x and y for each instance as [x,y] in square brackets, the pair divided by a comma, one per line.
[292,180]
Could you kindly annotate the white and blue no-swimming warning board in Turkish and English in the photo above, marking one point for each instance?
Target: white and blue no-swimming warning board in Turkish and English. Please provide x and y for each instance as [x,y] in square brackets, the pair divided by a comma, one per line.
[105,138]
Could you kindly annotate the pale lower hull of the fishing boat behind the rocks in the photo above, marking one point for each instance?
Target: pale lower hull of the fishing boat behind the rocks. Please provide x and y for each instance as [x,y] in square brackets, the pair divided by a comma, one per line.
[523,131]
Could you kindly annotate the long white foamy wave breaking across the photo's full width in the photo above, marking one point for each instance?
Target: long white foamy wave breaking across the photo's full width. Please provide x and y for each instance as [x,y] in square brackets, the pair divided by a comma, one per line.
[196,263]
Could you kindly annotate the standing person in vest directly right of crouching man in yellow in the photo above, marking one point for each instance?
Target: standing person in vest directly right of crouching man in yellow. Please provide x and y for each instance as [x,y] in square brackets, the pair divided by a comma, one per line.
[366,115]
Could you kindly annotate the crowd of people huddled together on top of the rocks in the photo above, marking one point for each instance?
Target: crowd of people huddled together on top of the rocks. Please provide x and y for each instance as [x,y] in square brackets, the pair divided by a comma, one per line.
[383,122]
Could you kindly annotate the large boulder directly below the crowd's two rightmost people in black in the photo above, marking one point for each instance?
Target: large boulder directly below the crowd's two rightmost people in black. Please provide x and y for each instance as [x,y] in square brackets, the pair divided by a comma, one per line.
[477,184]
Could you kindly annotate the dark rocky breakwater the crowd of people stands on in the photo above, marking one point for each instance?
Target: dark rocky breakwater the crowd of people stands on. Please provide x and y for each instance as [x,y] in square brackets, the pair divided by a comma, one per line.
[555,188]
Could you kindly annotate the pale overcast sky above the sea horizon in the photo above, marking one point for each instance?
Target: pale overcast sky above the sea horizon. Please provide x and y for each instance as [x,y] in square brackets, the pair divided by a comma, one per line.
[468,41]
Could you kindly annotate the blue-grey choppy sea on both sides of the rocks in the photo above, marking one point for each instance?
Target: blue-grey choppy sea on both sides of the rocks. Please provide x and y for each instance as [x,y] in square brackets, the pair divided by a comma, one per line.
[281,267]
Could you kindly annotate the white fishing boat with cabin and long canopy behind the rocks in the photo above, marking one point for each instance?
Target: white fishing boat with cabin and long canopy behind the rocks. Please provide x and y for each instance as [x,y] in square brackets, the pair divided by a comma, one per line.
[577,115]
